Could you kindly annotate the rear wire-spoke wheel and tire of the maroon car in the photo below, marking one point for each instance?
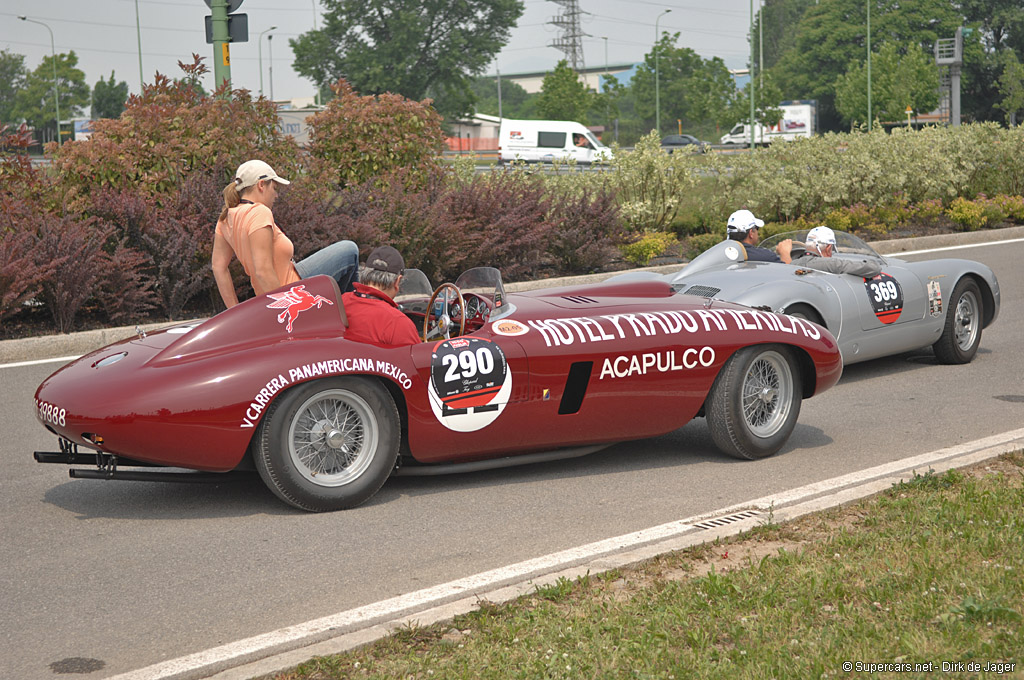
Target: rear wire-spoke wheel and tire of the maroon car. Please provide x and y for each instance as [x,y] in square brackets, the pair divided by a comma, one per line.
[330,444]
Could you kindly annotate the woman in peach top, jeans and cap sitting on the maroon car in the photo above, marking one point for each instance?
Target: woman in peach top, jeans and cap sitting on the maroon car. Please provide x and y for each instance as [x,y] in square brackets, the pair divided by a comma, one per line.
[246,230]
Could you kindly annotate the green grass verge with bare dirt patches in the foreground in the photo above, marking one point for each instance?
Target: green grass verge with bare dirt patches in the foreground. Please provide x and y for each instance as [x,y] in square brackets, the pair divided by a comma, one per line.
[930,572]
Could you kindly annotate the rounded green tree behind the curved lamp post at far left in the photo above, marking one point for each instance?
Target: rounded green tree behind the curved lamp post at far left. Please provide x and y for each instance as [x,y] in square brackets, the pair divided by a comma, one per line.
[35,102]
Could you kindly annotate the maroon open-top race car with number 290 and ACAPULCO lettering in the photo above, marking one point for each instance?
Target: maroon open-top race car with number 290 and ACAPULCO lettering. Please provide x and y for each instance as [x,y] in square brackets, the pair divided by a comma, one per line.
[273,385]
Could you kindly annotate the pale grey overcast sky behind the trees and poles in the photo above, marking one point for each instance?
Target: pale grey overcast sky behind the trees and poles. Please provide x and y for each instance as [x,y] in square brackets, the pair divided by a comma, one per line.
[103,35]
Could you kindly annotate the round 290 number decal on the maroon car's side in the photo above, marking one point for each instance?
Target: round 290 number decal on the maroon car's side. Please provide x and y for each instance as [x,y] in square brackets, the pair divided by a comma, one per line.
[471,384]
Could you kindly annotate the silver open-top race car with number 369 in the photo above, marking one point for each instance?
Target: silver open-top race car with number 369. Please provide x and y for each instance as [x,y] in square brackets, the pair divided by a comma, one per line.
[945,304]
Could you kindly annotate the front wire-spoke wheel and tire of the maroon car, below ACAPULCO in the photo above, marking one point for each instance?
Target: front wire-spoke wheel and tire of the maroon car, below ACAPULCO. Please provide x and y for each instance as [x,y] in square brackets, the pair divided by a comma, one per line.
[755,402]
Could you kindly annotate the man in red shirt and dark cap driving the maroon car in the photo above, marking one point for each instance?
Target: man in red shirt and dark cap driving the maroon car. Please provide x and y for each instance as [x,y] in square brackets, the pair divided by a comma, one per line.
[373,316]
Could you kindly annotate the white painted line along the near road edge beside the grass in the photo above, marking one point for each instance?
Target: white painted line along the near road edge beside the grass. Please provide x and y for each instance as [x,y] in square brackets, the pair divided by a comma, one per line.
[218,659]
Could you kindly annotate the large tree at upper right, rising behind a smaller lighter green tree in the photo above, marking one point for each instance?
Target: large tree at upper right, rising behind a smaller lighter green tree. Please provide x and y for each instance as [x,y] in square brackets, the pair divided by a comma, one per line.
[832,35]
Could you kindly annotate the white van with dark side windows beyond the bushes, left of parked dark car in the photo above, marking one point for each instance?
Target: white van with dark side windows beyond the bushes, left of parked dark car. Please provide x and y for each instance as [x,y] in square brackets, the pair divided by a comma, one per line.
[546,142]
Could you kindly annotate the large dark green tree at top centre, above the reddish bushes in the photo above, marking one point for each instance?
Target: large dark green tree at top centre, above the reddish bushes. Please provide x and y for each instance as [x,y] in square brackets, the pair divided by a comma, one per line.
[414,49]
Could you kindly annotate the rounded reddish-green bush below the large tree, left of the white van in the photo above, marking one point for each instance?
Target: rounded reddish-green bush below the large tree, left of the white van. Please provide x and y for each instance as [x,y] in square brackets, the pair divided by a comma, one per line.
[366,138]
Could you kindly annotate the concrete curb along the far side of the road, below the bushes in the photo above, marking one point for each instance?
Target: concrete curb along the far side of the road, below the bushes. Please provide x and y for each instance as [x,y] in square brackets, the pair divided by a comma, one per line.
[52,347]
